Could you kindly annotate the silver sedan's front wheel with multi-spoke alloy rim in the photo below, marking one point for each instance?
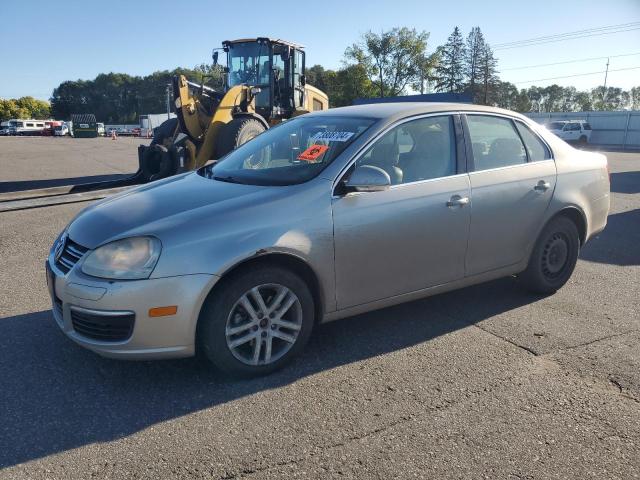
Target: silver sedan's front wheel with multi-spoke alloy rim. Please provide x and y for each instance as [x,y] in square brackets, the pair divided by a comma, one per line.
[256,322]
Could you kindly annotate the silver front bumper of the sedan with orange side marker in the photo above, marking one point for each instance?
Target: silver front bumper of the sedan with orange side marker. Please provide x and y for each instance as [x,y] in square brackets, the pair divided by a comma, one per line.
[171,336]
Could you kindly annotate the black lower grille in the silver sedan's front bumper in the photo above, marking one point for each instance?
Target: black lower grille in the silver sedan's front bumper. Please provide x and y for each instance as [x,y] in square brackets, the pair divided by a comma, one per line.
[106,328]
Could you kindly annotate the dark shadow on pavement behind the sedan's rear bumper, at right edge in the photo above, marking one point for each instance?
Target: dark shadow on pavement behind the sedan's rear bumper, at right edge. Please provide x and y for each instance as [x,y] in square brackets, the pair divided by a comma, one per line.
[619,243]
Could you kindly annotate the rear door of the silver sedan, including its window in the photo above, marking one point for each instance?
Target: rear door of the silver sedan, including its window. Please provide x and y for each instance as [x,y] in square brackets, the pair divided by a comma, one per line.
[512,183]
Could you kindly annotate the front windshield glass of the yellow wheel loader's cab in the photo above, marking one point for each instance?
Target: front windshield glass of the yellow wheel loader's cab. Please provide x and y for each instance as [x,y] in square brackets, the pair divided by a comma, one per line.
[248,63]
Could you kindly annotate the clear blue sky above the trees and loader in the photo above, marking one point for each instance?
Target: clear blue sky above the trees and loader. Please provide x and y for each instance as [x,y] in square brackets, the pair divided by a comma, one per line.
[46,42]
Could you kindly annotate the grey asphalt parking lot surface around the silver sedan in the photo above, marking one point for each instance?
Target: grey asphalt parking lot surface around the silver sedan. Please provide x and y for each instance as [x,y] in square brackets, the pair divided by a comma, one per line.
[485,382]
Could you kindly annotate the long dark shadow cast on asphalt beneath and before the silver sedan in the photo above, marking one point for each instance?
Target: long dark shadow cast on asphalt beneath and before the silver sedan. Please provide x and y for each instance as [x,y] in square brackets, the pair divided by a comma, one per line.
[56,396]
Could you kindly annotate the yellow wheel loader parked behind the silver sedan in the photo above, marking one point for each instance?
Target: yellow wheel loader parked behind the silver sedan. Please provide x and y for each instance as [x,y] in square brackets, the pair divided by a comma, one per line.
[264,84]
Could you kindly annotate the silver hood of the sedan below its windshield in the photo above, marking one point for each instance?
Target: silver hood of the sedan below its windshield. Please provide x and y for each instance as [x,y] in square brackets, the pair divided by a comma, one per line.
[160,206]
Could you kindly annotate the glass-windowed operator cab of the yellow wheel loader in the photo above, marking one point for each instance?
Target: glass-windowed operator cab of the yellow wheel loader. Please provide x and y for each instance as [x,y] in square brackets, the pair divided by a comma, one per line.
[274,67]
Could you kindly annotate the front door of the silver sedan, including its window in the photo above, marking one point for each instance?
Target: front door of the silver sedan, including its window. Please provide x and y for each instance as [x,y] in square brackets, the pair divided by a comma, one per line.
[413,235]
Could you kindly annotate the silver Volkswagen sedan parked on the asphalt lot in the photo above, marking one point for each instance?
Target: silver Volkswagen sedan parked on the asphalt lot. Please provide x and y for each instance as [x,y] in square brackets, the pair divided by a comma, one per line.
[325,216]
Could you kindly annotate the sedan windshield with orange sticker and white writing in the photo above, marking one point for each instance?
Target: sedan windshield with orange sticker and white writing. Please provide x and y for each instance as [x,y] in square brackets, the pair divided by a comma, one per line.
[293,152]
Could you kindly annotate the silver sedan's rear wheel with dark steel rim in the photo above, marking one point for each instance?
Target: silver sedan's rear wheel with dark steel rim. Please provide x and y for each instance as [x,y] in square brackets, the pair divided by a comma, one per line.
[554,257]
